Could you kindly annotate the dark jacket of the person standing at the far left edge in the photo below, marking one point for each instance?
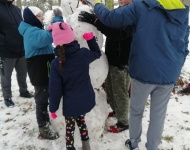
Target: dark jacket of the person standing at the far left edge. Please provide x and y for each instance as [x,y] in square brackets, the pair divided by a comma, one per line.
[11,42]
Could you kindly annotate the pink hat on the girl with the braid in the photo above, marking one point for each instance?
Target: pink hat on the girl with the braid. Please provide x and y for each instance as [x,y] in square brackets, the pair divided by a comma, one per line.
[62,33]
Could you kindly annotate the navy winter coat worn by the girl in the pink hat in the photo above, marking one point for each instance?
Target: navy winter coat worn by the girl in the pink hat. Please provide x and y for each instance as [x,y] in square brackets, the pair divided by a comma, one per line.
[73,83]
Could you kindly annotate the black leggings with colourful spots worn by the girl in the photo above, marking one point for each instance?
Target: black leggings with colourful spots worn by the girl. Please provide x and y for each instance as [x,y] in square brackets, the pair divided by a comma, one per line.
[70,129]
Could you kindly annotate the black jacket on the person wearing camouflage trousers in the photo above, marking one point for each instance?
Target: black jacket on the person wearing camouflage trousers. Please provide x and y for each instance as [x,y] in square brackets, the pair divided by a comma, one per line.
[117,45]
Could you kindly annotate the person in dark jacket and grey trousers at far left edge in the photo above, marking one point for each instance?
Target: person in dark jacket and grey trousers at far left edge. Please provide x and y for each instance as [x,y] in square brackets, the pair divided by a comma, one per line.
[11,52]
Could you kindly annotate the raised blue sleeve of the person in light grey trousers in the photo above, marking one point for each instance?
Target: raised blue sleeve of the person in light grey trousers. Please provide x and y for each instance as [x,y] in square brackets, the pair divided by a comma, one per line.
[116,18]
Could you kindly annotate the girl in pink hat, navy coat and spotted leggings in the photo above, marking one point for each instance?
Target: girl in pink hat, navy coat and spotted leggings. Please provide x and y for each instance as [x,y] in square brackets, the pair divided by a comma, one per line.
[69,77]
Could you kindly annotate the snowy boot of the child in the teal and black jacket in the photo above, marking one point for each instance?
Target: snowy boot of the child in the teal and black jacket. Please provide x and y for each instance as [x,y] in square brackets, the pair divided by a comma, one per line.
[47,132]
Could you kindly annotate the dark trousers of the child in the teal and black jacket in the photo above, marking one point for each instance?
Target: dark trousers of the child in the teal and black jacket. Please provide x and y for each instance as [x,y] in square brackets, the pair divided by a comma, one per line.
[41,99]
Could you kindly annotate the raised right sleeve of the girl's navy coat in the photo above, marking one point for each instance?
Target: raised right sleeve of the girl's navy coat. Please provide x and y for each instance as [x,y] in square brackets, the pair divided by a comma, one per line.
[94,52]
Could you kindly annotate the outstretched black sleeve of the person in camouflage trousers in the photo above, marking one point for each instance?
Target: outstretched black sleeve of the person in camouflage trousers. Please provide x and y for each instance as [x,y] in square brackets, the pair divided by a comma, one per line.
[114,33]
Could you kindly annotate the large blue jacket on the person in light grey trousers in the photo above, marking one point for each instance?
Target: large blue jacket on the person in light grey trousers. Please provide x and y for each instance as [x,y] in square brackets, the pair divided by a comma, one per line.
[160,41]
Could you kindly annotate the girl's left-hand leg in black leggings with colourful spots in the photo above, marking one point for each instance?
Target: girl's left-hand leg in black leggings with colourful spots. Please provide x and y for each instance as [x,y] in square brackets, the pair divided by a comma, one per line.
[70,129]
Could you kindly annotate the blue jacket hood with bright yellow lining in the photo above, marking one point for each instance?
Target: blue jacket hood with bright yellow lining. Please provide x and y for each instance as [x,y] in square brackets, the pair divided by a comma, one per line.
[176,11]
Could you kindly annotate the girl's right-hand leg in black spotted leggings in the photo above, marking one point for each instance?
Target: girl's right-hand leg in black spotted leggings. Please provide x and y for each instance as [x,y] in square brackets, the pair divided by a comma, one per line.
[82,128]
